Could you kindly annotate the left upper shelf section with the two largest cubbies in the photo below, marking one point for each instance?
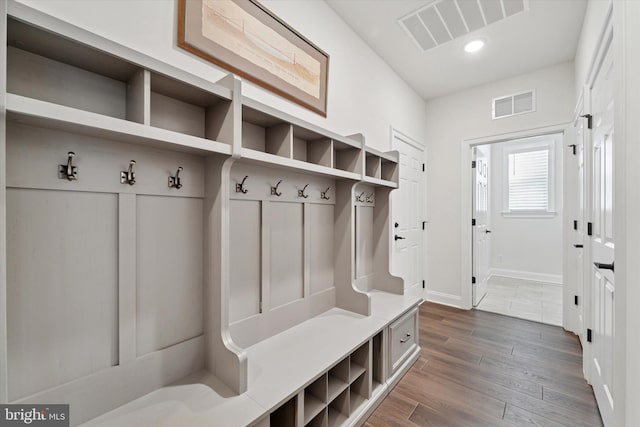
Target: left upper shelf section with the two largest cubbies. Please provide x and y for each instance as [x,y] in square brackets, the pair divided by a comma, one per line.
[56,82]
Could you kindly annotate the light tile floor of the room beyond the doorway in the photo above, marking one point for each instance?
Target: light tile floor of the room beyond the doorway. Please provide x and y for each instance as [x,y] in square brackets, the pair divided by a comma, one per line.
[524,299]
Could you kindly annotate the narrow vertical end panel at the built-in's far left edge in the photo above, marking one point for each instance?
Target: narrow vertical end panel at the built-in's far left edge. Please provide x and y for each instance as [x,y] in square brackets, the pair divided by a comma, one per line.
[4,390]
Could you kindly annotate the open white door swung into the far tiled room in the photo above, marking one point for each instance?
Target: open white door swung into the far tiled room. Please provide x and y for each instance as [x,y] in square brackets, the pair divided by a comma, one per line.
[481,232]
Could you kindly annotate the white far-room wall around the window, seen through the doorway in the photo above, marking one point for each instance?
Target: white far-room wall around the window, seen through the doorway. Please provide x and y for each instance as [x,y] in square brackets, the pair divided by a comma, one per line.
[525,247]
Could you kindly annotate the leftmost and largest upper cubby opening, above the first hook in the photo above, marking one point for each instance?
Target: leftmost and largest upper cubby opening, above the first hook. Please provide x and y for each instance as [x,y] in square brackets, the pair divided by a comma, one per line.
[48,67]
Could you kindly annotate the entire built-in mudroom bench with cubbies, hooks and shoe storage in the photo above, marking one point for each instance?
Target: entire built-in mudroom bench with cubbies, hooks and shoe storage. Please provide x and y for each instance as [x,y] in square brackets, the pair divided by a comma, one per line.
[178,254]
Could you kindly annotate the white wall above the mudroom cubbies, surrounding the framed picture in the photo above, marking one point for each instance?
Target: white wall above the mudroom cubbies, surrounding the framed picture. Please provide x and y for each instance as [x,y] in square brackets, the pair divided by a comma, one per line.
[364,94]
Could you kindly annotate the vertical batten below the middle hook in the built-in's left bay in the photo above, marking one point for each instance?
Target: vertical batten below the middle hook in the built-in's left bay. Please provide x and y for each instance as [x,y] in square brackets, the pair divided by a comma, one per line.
[127,277]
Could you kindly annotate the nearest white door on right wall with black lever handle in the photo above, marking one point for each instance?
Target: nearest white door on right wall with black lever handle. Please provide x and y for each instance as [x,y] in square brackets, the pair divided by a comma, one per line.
[601,265]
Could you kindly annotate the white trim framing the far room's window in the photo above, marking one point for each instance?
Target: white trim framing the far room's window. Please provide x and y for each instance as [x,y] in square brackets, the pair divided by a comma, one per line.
[548,142]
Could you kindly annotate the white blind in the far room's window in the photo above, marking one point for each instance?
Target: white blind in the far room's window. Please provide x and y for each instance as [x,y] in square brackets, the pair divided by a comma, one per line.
[528,180]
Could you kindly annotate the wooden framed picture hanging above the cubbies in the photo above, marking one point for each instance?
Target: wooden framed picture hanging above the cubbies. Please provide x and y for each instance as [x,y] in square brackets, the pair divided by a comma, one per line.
[245,38]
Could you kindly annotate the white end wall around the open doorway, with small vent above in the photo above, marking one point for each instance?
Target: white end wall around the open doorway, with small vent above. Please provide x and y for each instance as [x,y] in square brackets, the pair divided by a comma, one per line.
[467,115]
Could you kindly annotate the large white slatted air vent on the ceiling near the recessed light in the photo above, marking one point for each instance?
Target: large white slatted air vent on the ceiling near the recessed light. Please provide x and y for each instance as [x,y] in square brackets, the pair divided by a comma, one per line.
[445,20]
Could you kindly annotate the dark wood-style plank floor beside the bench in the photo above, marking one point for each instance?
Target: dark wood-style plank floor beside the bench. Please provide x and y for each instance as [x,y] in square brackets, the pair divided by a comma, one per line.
[485,369]
